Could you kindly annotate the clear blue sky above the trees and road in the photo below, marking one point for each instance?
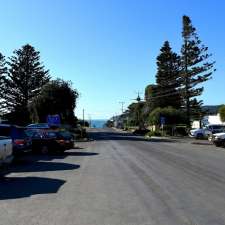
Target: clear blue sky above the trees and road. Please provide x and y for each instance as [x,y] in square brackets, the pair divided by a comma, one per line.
[108,48]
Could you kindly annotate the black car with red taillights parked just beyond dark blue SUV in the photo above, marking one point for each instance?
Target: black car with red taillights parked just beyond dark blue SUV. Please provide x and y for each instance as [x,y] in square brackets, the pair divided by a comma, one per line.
[47,141]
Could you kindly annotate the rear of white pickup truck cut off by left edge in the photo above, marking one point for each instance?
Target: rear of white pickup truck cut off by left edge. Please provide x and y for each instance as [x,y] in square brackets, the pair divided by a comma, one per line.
[6,151]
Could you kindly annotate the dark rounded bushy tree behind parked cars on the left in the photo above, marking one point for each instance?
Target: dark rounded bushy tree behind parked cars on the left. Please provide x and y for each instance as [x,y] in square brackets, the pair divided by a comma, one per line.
[55,97]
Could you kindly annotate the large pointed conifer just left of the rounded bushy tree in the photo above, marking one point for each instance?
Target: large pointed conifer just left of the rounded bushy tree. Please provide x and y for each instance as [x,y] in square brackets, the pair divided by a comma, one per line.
[25,78]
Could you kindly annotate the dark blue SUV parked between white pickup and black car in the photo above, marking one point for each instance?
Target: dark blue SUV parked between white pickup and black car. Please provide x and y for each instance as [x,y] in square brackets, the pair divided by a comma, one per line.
[21,142]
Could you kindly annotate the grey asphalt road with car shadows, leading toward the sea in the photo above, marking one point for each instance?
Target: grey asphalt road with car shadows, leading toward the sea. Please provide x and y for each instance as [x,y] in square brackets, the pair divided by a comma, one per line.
[118,179]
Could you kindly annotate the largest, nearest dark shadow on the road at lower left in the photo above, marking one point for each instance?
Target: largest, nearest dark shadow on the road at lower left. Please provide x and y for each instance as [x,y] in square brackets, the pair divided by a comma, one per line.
[21,187]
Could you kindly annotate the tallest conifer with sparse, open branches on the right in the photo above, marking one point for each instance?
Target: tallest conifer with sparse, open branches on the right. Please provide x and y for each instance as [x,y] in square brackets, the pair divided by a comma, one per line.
[195,68]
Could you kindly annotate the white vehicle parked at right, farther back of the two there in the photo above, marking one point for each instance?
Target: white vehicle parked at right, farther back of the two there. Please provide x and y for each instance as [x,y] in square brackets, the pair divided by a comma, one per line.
[207,131]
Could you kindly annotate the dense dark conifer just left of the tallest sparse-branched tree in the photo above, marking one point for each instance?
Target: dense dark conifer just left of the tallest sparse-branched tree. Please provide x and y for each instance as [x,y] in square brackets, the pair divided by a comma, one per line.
[167,78]
